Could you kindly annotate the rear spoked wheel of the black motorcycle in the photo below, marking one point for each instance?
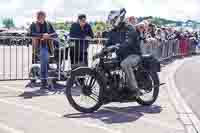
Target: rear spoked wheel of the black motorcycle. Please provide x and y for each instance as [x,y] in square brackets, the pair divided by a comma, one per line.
[151,90]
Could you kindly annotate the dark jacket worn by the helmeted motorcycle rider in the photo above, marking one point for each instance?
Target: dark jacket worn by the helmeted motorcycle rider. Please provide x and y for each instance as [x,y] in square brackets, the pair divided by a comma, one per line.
[131,42]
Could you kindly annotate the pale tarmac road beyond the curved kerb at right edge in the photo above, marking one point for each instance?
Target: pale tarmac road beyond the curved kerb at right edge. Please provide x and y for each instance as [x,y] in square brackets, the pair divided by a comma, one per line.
[188,80]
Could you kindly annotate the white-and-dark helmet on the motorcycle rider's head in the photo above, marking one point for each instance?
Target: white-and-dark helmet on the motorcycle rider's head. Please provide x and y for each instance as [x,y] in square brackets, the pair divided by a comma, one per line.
[117,17]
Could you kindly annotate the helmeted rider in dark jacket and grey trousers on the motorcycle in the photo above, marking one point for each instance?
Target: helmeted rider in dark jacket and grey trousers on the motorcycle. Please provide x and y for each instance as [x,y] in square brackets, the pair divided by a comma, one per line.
[129,50]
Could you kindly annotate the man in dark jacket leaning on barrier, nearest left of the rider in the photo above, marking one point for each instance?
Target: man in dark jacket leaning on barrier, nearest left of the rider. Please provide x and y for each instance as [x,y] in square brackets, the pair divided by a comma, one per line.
[82,31]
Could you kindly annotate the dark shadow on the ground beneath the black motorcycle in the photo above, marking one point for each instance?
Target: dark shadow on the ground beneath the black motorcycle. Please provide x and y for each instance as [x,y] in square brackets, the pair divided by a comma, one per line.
[112,115]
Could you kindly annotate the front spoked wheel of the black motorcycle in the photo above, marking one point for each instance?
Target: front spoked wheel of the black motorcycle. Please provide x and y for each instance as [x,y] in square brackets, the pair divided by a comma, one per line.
[84,93]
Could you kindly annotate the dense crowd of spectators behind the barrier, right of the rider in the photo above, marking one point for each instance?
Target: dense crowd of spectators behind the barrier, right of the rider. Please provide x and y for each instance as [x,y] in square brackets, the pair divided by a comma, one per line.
[159,35]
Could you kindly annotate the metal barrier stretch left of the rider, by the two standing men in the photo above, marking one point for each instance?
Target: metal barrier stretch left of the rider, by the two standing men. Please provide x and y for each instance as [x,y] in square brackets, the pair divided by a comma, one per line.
[18,55]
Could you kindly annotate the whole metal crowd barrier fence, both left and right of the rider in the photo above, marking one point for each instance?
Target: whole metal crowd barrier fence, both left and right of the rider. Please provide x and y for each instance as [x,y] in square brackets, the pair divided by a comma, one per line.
[18,55]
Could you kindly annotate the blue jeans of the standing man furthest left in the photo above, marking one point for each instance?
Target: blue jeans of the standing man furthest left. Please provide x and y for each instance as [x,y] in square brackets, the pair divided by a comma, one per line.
[44,60]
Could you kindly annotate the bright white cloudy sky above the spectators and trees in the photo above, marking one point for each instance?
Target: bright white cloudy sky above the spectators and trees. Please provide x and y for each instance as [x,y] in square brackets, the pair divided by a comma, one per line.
[24,10]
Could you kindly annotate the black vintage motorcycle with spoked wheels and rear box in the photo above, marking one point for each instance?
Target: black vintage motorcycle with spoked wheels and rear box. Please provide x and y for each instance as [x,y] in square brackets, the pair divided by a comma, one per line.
[89,88]
